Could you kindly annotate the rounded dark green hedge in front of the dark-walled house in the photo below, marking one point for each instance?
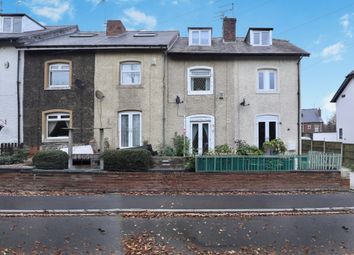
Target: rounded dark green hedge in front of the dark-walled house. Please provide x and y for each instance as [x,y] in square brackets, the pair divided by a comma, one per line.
[51,159]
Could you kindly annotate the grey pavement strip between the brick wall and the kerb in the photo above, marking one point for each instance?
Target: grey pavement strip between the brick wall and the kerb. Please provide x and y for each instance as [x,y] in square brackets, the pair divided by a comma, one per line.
[113,201]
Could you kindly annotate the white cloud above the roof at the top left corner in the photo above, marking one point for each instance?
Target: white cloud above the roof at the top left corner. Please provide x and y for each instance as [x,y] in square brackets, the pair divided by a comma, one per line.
[53,10]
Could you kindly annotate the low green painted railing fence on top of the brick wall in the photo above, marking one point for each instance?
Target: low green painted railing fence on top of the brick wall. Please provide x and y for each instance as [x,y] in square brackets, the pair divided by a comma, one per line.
[278,163]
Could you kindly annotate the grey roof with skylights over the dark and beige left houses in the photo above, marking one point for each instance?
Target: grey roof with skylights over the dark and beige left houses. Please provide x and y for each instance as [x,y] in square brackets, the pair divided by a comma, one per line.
[129,39]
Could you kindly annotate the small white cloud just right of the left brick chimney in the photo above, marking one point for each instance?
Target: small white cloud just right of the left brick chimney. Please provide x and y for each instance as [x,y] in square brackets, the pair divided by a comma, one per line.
[134,17]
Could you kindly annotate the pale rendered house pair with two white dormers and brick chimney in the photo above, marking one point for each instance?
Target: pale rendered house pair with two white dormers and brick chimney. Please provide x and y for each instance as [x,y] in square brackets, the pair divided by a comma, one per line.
[221,90]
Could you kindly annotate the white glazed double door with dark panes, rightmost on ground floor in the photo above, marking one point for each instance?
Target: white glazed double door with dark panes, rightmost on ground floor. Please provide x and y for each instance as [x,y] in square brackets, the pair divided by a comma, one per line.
[266,128]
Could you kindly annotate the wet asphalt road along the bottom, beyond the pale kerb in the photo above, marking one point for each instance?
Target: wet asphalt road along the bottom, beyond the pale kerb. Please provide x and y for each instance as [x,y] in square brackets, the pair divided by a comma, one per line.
[317,234]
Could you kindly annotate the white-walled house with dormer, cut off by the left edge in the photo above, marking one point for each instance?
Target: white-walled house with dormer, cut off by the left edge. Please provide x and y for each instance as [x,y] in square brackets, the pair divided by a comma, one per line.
[17,30]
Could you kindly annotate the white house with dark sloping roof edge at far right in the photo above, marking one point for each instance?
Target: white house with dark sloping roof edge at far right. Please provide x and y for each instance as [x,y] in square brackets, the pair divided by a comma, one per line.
[344,100]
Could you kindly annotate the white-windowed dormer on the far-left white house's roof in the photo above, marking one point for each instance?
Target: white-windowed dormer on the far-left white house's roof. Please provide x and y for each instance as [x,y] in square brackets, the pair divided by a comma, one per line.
[18,23]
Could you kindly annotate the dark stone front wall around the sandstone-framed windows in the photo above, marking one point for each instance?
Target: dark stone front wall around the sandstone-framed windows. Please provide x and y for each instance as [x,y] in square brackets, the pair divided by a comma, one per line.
[79,100]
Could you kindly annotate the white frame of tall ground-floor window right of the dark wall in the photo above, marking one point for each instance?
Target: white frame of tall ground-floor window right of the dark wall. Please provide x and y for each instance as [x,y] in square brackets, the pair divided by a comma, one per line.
[130,128]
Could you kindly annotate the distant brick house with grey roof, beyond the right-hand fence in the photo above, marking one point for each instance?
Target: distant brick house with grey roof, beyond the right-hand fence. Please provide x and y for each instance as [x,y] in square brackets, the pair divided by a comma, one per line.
[311,122]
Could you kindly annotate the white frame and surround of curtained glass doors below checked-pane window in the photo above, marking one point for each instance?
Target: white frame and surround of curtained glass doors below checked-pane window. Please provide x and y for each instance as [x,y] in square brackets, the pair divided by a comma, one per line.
[200,118]
